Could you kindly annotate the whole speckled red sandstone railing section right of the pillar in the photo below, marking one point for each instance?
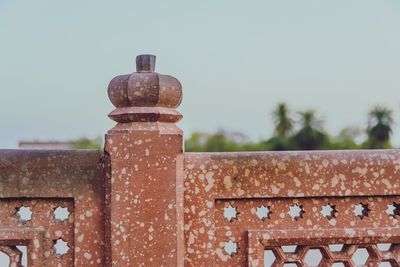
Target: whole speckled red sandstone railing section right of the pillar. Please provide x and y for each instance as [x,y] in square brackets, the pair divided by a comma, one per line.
[361,188]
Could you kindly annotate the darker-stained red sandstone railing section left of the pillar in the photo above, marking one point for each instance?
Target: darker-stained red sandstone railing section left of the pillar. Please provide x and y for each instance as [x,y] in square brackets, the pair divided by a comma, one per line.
[43,181]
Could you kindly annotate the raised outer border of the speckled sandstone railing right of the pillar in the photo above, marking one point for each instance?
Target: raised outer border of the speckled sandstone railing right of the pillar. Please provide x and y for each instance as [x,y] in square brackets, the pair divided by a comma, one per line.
[212,177]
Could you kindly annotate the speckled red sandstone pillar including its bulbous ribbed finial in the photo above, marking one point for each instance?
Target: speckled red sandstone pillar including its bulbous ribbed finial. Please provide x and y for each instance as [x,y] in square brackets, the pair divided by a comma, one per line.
[145,153]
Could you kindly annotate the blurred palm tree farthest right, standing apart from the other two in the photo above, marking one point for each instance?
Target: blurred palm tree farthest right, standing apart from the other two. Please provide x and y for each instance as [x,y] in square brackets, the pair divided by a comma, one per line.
[380,121]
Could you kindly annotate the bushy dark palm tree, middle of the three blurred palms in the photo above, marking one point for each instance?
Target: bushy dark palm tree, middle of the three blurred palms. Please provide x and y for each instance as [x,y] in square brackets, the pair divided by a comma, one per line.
[311,136]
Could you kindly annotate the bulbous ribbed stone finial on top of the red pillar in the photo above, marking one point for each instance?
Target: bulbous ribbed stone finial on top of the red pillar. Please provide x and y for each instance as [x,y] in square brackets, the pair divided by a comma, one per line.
[145,96]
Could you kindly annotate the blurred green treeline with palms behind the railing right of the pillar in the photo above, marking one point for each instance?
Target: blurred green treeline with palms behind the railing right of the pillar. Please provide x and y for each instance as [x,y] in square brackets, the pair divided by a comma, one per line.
[304,133]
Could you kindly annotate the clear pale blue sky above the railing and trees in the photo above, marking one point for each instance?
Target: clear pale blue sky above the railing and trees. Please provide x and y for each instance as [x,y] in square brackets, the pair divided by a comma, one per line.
[235,59]
